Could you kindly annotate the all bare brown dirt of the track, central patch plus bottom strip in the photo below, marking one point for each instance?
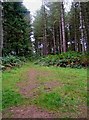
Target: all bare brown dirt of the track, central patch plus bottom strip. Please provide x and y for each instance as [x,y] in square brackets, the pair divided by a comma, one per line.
[29,89]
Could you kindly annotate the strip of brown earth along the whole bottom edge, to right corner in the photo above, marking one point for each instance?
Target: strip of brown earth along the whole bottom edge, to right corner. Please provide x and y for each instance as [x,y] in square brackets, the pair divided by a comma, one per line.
[32,111]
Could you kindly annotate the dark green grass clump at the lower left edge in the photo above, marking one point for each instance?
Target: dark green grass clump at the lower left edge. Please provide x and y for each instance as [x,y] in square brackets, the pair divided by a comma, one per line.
[9,98]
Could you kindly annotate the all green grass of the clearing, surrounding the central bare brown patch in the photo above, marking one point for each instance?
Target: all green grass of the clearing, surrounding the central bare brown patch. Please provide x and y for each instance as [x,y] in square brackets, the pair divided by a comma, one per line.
[67,97]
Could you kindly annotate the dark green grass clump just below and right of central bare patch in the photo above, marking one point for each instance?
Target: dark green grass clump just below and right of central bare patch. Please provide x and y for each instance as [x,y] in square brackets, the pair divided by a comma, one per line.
[49,100]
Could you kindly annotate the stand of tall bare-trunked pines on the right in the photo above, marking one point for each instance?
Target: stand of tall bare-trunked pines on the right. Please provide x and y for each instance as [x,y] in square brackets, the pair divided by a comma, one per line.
[61,31]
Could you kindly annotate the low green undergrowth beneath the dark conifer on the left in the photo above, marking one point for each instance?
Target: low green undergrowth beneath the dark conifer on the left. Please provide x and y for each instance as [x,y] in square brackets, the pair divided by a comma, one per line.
[10,61]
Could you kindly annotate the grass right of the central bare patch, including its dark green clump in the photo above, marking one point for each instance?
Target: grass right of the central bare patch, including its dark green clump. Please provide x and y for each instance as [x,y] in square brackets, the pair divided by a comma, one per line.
[66,97]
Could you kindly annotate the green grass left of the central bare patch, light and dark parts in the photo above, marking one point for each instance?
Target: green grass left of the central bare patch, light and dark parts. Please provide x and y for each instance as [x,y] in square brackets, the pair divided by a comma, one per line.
[10,95]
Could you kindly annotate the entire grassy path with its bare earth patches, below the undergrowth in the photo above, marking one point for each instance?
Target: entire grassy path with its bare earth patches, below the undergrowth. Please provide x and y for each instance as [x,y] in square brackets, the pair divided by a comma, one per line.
[34,91]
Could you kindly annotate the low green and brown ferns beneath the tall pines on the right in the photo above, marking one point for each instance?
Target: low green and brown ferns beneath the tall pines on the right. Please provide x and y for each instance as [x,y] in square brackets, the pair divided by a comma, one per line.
[69,59]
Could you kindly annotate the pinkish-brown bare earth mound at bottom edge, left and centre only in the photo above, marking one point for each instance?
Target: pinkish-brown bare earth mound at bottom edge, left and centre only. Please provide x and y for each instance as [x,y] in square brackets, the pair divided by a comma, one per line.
[28,112]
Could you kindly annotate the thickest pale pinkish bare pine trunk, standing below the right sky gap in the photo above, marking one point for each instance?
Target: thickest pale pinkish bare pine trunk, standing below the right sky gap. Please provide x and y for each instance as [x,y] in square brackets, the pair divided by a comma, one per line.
[63,27]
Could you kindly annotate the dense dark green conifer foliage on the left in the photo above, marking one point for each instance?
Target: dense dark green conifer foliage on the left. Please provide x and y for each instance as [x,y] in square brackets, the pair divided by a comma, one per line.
[16,29]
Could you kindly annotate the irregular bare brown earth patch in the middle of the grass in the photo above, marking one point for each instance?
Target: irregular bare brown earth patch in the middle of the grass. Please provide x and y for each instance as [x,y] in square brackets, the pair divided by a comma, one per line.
[30,87]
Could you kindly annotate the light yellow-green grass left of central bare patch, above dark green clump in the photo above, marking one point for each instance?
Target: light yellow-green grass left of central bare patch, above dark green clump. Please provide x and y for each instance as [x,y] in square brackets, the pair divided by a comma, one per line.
[10,78]
